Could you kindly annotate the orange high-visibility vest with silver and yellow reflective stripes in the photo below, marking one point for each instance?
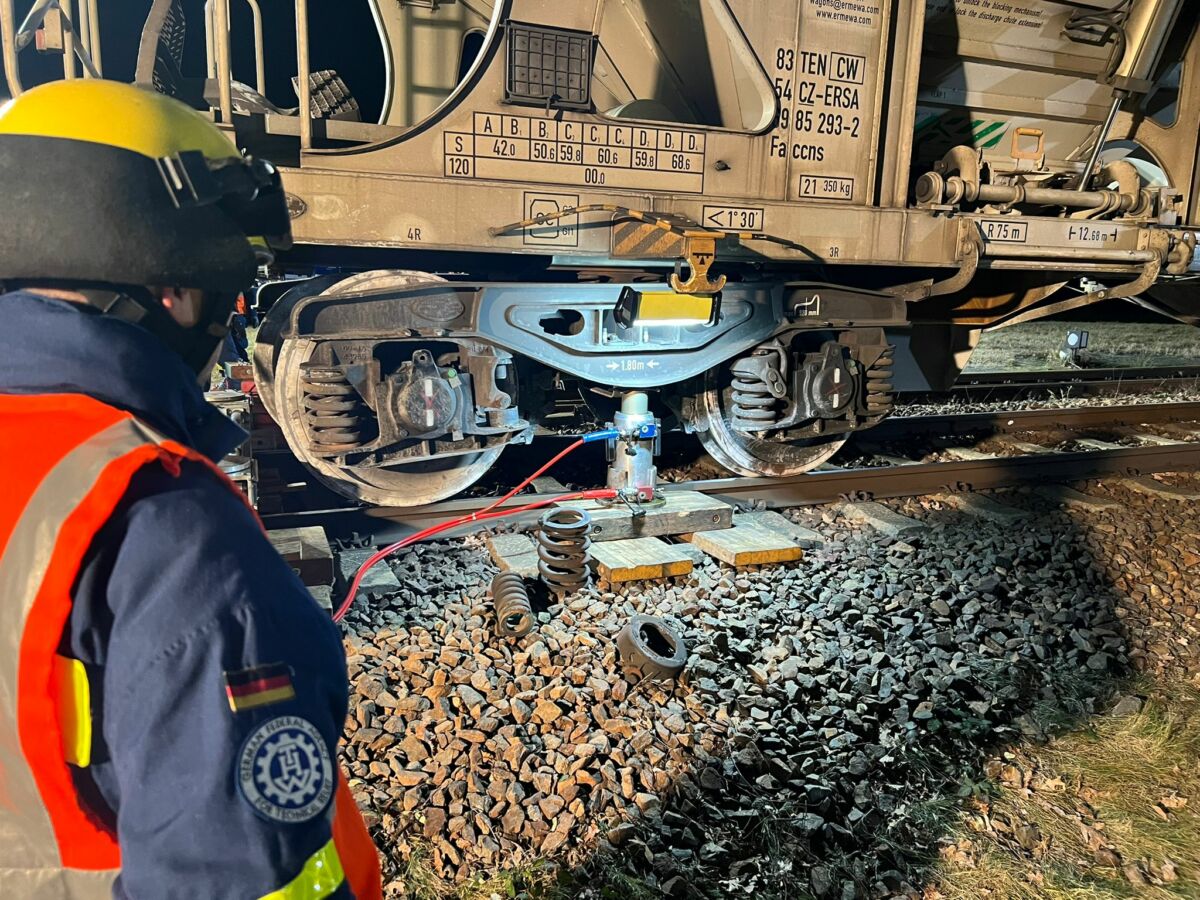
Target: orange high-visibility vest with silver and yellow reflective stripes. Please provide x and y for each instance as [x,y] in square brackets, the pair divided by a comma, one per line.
[69,461]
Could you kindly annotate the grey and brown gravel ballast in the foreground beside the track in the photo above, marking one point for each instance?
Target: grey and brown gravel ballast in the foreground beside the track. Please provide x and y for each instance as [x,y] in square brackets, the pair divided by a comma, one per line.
[827,712]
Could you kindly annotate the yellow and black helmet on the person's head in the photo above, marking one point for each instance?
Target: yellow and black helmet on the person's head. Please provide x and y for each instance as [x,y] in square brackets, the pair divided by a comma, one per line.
[107,183]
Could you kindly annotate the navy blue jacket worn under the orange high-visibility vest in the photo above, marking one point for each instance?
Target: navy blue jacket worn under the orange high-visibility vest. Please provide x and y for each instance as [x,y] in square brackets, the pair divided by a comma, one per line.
[181,592]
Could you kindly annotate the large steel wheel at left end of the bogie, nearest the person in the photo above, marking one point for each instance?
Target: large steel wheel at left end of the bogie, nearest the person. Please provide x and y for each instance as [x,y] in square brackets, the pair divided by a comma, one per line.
[409,485]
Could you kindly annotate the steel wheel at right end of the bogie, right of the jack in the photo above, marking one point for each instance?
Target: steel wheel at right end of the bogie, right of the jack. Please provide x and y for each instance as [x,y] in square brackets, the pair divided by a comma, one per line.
[745,454]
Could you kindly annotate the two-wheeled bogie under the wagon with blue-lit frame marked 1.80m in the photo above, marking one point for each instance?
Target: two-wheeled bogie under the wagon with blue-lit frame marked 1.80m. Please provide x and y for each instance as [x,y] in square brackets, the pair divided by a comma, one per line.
[392,380]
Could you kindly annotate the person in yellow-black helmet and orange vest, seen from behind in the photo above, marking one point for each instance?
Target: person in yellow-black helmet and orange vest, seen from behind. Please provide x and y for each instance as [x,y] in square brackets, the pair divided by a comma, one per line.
[171,697]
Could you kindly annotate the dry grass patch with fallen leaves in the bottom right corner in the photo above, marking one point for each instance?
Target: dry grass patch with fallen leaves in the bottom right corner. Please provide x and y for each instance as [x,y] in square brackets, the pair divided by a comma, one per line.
[1109,811]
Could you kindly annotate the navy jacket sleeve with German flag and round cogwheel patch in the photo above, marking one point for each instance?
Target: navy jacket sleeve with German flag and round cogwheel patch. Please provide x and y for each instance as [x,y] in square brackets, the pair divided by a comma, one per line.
[224,700]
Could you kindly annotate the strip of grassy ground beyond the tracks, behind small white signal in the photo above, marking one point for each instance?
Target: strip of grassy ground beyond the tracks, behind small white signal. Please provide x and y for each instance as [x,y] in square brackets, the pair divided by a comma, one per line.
[1035,346]
